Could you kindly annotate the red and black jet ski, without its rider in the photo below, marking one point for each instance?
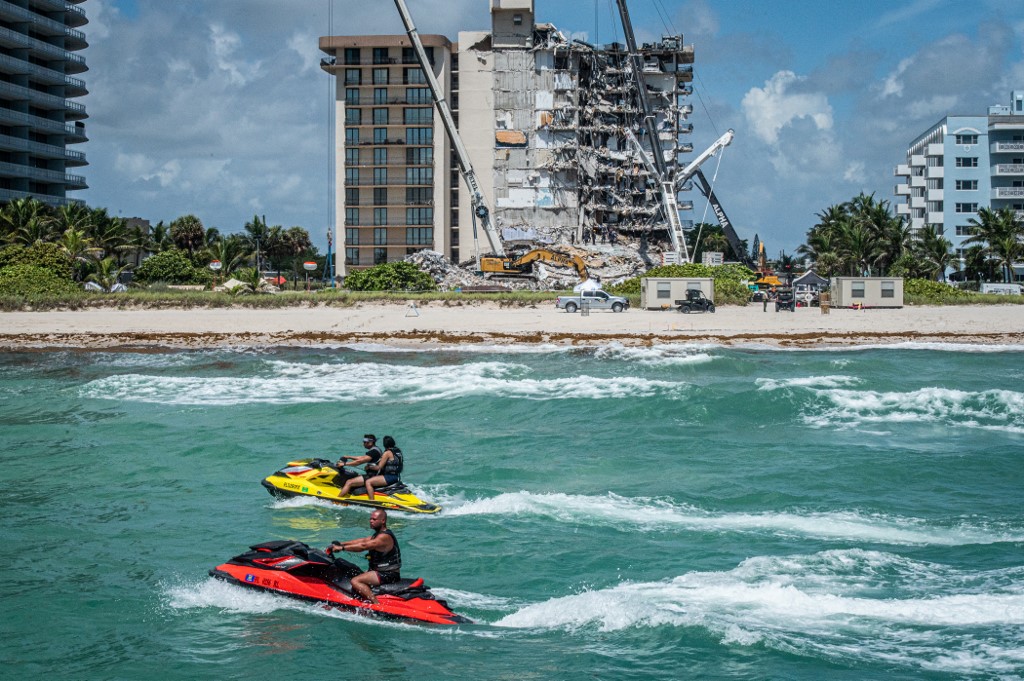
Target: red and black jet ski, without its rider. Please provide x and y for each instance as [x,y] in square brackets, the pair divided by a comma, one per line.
[293,569]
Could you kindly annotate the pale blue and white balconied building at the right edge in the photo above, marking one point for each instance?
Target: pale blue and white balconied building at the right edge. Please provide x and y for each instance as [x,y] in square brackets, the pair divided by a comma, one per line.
[961,165]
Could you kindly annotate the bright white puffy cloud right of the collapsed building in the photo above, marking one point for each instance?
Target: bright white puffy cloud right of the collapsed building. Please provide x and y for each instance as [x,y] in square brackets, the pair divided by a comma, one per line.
[771,109]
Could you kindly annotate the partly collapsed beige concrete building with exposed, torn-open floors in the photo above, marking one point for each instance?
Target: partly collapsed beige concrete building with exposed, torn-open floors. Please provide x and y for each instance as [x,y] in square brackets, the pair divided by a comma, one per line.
[553,129]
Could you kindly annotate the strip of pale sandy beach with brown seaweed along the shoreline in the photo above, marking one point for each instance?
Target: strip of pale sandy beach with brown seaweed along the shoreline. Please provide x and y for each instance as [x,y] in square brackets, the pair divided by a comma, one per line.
[488,323]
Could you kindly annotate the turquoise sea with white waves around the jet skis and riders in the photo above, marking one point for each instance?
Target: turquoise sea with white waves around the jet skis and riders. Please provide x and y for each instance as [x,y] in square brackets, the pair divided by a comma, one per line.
[622,514]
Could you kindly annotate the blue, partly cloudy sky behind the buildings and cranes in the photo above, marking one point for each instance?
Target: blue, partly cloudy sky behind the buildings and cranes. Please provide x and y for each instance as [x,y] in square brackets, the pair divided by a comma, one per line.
[220,109]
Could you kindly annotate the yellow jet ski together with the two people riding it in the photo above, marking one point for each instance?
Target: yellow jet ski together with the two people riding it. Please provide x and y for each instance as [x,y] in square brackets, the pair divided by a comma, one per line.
[323,480]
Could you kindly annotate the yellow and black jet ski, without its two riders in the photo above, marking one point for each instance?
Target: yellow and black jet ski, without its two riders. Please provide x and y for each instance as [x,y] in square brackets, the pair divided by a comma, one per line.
[322,480]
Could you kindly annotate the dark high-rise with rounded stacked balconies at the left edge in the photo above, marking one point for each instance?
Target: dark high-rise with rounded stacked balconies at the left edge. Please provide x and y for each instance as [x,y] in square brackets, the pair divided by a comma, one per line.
[39,119]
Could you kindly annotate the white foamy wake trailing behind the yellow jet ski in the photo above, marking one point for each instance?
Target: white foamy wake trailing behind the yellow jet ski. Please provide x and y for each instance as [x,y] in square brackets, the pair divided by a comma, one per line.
[839,526]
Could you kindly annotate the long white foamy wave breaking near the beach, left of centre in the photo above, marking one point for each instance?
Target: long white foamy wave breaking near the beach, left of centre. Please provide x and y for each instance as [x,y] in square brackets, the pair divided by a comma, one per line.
[284,384]
